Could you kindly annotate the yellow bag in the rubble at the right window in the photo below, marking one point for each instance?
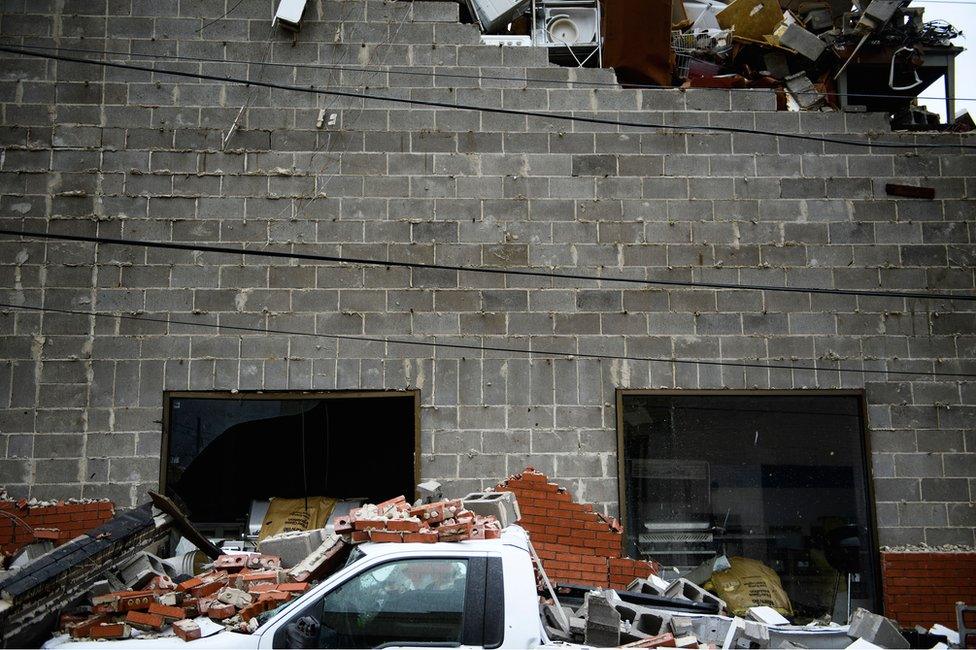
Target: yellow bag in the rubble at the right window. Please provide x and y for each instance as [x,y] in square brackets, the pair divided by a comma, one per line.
[749,583]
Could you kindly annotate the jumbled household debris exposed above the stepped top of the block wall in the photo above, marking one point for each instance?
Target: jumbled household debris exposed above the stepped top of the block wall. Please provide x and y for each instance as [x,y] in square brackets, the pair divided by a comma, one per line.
[875,55]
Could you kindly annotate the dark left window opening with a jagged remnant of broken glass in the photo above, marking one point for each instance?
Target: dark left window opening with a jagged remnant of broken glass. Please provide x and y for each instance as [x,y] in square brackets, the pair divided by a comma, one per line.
[222,451]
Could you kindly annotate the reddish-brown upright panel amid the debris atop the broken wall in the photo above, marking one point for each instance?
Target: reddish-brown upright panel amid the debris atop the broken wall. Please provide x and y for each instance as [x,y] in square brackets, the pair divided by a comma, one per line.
[636,40]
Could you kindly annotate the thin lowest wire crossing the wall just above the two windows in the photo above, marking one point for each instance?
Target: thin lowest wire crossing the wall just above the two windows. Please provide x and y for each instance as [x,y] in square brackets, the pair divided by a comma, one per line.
[489,348]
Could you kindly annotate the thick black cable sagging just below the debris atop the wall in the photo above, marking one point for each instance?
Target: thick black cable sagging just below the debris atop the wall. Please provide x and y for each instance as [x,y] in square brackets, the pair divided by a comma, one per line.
[486,109]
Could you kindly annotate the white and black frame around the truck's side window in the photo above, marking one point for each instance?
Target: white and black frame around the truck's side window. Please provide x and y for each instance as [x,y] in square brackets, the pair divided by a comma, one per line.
[472,626]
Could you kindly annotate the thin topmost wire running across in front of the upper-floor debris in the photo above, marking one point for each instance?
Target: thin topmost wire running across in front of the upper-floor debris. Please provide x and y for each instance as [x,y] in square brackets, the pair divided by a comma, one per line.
[162,56]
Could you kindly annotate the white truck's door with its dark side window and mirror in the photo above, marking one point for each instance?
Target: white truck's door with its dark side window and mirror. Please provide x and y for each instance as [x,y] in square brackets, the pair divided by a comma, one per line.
[434,601]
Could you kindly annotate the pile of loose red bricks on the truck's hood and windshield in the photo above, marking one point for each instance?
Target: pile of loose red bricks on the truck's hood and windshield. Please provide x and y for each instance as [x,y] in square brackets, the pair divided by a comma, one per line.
[236,590]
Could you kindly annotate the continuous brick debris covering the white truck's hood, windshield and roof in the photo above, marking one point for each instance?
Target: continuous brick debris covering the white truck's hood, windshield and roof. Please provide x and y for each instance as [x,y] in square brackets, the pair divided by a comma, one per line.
[238,591]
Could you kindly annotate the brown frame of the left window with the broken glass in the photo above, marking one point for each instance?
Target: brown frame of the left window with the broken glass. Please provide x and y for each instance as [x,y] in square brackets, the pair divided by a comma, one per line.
[283,395]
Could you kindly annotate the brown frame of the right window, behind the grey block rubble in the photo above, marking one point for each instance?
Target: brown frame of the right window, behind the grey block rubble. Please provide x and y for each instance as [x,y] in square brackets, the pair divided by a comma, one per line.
[865,459]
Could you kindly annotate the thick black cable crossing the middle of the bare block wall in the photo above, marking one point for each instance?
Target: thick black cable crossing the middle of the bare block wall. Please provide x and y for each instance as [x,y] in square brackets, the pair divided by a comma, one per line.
[206,248]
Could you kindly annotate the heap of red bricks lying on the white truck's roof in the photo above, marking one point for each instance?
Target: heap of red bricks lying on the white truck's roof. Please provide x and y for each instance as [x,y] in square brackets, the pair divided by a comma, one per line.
[397,521]
